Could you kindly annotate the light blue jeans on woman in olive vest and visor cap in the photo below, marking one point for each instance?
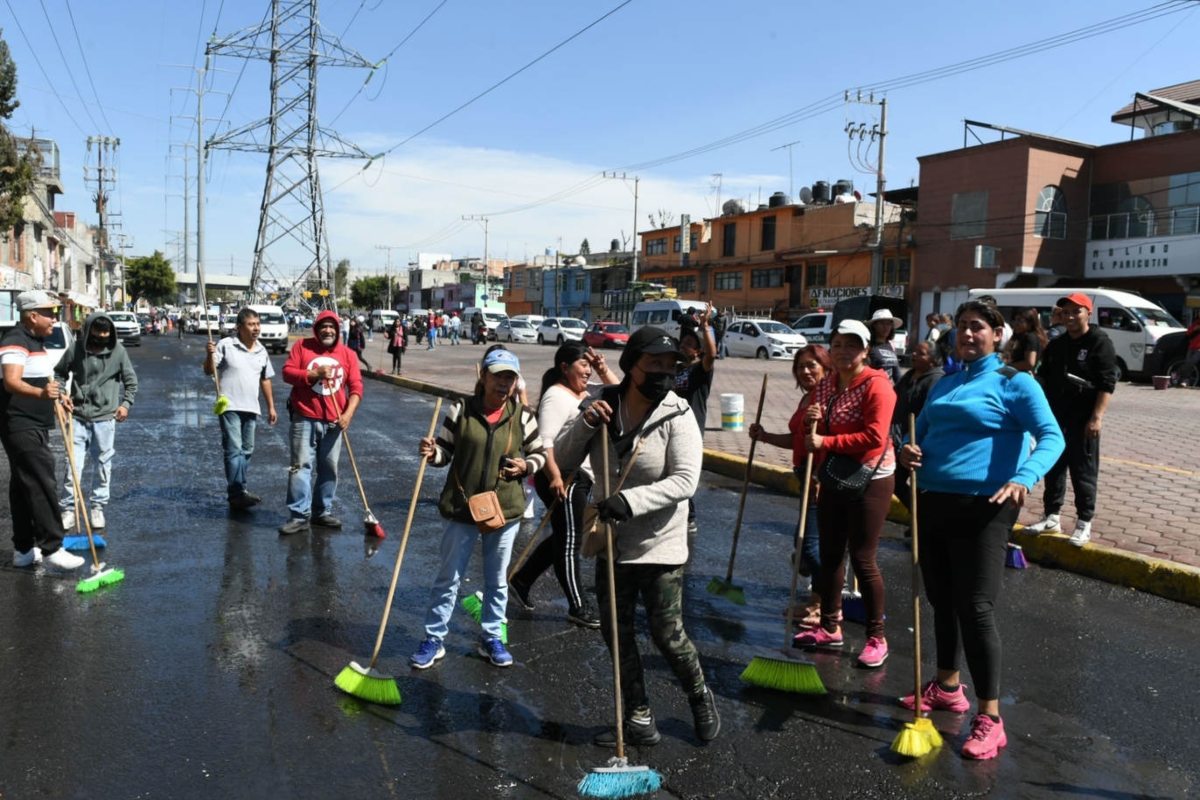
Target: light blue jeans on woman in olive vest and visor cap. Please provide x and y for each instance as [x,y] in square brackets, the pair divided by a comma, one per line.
[458,543]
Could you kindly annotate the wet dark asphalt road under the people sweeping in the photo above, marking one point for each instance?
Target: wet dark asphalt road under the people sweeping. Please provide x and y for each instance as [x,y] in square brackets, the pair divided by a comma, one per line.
[208,673]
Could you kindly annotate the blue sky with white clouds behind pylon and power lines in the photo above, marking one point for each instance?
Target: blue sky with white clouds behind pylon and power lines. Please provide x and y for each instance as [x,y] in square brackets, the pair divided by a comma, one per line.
[656,79]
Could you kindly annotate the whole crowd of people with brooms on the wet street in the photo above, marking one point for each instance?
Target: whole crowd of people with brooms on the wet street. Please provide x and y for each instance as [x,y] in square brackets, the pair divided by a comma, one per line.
[987,431]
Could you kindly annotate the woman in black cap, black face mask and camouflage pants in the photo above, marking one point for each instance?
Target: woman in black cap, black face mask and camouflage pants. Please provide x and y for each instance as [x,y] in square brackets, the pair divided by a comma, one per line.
[653,434]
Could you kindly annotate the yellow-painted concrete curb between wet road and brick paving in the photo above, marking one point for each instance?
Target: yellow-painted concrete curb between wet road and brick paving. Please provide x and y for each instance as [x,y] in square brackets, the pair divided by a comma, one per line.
[1178,582]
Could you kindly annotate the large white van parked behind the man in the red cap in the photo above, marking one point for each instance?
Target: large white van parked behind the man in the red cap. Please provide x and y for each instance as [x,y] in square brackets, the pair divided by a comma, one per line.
[1133,323]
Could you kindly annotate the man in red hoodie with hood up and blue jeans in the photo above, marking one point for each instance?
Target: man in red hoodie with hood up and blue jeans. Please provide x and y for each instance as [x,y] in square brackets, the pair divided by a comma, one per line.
[327,389]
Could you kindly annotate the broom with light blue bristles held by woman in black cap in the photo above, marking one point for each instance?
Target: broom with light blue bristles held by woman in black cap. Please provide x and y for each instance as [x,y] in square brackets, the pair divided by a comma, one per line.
[619,778]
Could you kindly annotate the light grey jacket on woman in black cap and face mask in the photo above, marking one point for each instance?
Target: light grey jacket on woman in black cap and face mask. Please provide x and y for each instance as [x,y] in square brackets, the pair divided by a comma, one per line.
[663,479]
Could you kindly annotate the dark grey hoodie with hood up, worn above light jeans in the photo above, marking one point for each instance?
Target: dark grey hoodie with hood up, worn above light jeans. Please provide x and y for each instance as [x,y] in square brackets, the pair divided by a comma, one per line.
[104,382]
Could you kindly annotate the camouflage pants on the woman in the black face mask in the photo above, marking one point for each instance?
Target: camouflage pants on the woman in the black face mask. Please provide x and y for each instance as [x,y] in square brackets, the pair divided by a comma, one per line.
[662,591]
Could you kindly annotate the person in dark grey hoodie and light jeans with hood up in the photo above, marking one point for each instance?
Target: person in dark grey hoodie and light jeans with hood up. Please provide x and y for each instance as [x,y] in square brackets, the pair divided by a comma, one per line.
[103,389]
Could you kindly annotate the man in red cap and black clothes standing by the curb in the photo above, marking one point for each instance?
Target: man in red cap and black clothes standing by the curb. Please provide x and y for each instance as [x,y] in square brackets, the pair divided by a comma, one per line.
[1079,374]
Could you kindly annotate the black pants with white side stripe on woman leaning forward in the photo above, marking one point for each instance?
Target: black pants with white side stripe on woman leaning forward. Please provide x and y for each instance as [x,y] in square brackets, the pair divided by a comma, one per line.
[562,548]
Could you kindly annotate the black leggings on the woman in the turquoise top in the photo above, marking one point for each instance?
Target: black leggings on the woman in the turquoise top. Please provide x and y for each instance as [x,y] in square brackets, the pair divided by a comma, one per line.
[963,543]
